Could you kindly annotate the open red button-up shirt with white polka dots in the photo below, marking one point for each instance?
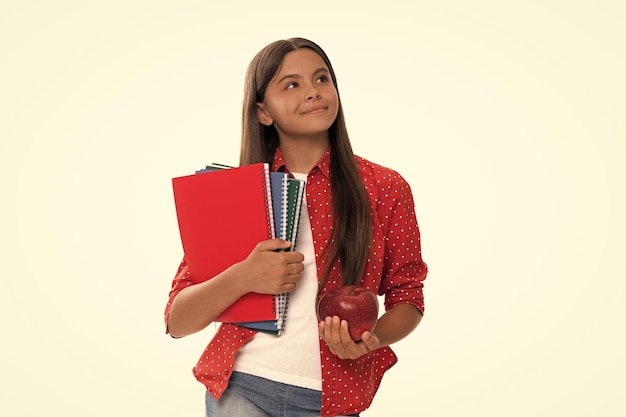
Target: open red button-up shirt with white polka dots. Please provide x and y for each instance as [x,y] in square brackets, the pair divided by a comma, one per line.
[395,270]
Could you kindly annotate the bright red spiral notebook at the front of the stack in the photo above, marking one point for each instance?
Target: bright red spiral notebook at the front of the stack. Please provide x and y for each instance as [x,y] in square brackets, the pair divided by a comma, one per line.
[222,215]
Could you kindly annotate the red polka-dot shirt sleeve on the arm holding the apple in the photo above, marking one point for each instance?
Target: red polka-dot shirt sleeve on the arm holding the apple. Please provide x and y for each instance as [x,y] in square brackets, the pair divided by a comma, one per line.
[403,269]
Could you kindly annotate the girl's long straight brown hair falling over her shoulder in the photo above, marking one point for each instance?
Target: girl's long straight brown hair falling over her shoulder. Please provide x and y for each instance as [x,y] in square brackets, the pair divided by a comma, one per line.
[351,234]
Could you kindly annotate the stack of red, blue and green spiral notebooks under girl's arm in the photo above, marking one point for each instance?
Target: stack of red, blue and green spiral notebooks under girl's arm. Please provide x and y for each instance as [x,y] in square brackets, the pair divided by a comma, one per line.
[223,212]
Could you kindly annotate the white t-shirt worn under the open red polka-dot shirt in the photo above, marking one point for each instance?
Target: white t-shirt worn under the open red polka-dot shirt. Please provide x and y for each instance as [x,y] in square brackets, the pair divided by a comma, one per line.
[294,356]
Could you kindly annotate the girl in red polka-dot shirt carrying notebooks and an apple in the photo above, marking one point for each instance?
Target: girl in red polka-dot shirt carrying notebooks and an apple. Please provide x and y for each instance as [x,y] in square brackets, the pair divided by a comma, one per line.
[358,227]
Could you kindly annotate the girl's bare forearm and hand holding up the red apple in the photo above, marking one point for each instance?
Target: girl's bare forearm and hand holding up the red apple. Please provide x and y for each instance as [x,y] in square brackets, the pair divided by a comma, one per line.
[397,323]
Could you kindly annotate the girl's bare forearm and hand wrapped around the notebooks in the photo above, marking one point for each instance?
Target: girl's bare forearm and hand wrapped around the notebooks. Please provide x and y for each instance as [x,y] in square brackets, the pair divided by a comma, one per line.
[264,271]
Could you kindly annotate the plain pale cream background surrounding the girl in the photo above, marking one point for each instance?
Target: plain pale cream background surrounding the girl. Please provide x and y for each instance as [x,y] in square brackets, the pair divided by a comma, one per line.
[507,119]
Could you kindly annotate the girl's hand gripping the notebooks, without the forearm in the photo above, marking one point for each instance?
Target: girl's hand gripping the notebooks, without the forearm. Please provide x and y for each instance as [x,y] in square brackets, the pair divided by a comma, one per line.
[268,271]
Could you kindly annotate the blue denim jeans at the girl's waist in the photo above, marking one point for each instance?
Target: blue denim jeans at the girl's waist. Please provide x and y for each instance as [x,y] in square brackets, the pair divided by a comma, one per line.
[253,396]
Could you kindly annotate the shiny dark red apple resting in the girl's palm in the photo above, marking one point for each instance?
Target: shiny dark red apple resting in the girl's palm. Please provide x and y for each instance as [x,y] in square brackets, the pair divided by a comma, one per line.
[357,305]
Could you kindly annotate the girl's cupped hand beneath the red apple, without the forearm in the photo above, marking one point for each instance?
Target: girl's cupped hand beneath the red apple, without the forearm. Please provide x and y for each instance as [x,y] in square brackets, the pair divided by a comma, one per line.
[335,333]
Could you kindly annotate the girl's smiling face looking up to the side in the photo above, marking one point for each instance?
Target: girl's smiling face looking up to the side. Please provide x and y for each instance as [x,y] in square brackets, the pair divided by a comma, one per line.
[301,100]
